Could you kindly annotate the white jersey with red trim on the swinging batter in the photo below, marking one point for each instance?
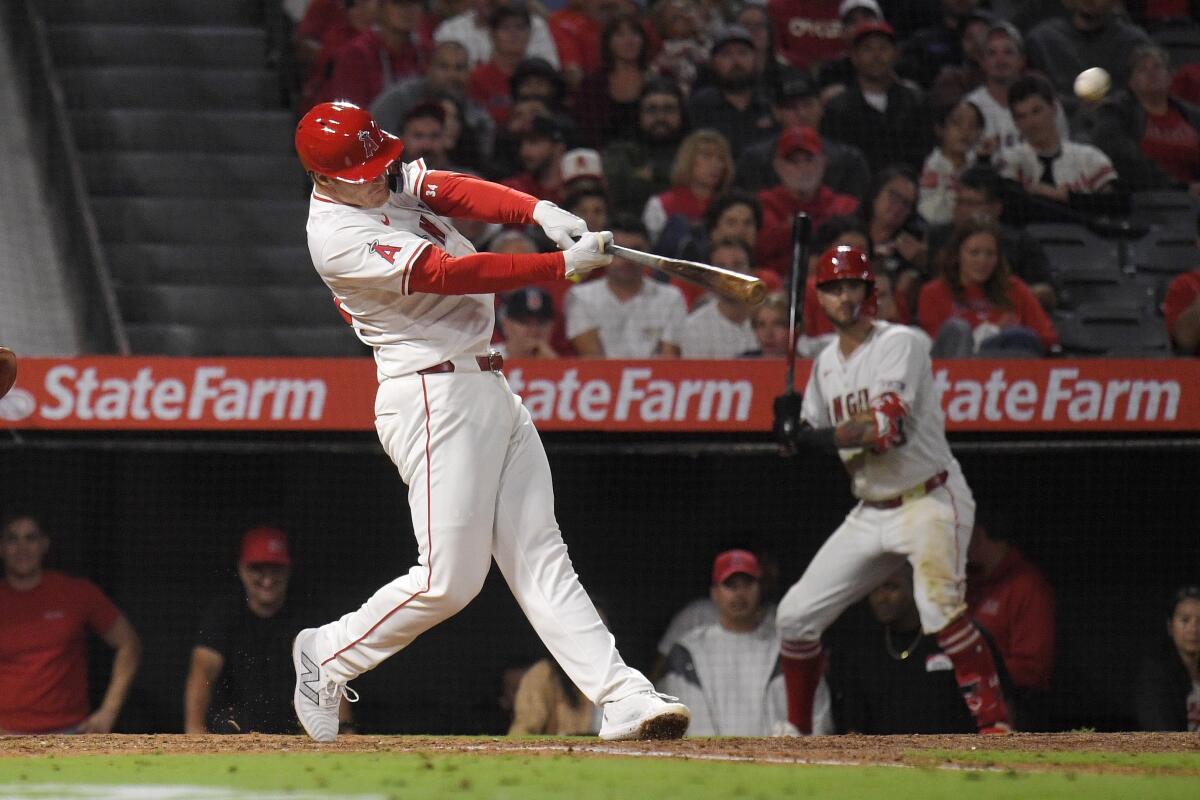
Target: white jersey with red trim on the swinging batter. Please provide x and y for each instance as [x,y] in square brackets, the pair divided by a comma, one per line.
[365,257]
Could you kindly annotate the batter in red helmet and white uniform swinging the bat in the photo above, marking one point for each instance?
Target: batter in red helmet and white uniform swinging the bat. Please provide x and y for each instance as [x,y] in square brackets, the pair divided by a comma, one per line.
[479,484]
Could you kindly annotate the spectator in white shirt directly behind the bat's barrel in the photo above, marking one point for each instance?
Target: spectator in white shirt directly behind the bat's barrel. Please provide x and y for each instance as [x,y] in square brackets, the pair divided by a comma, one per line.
[721,328]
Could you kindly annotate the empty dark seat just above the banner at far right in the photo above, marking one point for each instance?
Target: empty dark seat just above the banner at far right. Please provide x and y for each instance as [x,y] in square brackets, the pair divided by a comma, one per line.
[1113,330]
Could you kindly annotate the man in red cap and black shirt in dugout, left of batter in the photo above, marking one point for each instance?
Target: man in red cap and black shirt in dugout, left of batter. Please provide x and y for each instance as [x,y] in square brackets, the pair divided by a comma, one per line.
[242,678]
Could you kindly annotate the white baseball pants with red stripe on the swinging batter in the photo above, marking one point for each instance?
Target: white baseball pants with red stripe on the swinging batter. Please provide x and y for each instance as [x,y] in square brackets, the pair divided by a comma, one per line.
[479,488]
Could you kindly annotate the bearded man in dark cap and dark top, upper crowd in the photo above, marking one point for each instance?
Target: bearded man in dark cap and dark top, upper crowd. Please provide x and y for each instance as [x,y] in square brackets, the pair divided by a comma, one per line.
[736,106]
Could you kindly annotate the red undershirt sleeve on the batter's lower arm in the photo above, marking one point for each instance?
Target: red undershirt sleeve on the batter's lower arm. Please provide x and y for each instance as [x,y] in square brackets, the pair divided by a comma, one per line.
[439,273]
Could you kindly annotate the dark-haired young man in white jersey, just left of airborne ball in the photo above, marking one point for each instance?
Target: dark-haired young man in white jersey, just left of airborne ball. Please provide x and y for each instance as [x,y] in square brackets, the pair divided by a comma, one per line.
[1045,164]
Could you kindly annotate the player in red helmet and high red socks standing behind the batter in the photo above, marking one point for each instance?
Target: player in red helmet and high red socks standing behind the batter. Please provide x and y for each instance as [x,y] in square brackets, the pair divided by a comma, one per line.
[872,399]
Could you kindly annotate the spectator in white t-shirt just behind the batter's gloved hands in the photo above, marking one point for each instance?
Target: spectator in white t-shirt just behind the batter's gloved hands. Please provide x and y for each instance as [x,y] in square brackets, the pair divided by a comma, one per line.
[626,316]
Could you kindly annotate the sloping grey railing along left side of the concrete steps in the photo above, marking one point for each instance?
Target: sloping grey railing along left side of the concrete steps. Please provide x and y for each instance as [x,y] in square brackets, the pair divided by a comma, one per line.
[93,298]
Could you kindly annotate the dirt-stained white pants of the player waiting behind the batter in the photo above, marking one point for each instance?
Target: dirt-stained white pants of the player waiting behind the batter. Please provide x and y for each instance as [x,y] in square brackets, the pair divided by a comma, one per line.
[933,533]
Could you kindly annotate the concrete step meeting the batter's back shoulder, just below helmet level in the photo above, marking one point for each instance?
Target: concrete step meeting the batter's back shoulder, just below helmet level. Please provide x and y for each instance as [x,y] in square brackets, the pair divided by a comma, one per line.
[157,220]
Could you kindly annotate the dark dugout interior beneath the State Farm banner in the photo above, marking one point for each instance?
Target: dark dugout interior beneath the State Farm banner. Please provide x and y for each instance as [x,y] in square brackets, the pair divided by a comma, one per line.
[159,530]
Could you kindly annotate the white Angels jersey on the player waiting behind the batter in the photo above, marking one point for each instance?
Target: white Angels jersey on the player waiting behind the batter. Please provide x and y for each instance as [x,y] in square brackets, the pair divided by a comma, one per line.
[893,359]
